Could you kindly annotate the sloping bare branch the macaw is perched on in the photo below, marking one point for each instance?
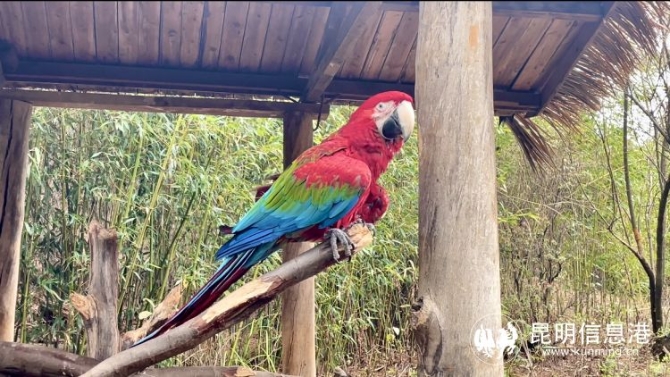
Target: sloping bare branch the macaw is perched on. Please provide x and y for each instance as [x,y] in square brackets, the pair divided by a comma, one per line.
[228,311]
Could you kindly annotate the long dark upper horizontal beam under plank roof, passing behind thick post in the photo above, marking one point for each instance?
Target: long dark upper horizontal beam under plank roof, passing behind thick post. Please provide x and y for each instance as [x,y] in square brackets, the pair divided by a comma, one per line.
[37,74]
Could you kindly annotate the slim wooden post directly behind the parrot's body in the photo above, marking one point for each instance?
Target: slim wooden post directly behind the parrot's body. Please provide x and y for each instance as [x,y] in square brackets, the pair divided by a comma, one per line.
[298,322]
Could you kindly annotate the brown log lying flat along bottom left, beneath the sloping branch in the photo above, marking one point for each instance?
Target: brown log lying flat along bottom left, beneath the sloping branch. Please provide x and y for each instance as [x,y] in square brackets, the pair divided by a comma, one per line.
[30,360]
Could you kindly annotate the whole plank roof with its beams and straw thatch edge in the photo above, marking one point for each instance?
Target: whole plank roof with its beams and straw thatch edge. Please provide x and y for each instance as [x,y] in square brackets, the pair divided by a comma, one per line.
[551,60]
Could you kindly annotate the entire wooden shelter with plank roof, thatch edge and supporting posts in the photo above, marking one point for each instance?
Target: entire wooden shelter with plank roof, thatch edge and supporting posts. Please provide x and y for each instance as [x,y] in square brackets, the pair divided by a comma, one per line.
[292,60]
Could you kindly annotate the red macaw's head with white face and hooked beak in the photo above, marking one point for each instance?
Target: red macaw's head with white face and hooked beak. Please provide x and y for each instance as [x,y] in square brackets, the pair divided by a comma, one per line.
[392,114]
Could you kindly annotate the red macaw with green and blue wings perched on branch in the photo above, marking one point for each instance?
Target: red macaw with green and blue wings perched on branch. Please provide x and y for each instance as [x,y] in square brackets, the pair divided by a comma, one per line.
[326,189]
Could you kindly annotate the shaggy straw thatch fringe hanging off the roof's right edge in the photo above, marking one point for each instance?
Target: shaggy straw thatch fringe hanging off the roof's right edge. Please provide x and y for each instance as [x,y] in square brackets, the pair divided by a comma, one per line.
[631,33]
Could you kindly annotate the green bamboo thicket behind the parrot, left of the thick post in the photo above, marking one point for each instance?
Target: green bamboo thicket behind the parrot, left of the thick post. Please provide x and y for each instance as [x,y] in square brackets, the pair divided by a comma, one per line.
[165,183]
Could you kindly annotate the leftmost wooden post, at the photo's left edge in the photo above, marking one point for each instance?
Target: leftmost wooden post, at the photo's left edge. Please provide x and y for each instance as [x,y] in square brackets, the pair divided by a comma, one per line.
[14,131]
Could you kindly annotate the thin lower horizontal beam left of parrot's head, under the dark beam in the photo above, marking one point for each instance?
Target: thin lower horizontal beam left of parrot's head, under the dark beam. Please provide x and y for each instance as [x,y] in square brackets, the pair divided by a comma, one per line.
[186,105]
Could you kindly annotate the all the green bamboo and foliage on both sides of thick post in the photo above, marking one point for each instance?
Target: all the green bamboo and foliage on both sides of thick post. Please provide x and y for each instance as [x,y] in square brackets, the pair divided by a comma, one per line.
[166,182]
